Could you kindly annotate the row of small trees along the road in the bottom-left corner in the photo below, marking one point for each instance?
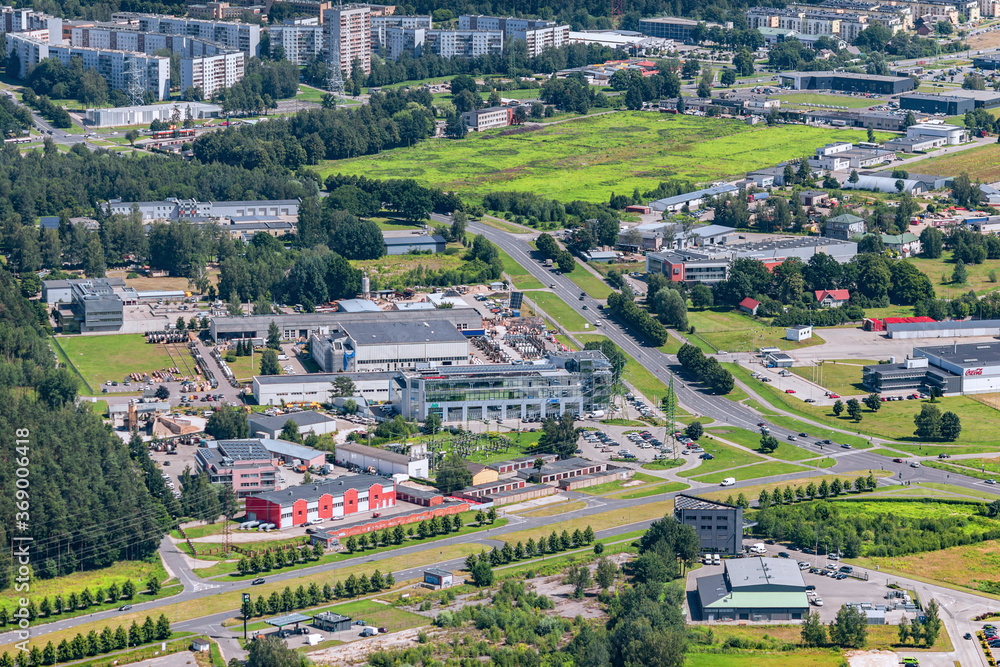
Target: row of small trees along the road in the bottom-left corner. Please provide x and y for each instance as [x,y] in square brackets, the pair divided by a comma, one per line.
[93,643]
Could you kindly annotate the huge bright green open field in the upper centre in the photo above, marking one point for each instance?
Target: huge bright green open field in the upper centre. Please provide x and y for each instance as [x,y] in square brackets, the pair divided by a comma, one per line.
[589,158]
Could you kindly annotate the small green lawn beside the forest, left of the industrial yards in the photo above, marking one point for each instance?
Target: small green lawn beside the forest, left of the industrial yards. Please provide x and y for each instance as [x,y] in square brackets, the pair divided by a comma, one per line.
[103,358]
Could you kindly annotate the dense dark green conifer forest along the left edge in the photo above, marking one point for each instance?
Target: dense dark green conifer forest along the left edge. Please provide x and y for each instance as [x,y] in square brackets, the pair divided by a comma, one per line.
[83,503]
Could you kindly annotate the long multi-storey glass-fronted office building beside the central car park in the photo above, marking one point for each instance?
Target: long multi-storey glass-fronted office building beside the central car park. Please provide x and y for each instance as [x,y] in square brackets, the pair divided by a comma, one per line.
[568,382]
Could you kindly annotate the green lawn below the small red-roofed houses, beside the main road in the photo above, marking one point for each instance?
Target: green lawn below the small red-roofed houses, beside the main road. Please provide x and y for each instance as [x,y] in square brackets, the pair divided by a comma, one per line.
[725,329]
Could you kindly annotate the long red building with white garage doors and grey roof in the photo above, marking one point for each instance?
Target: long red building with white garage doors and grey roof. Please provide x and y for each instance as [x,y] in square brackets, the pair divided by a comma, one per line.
[343,496]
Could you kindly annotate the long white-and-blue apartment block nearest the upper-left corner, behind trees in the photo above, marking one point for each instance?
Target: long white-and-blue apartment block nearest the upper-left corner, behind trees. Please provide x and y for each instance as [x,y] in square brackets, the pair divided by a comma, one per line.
[111,64]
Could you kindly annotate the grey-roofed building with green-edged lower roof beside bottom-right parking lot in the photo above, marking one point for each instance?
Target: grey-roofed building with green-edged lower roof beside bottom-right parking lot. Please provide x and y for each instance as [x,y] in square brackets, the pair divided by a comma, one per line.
[753,589]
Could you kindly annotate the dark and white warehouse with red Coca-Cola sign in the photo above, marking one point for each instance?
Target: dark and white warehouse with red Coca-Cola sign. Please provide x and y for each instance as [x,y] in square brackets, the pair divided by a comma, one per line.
[971,368]
